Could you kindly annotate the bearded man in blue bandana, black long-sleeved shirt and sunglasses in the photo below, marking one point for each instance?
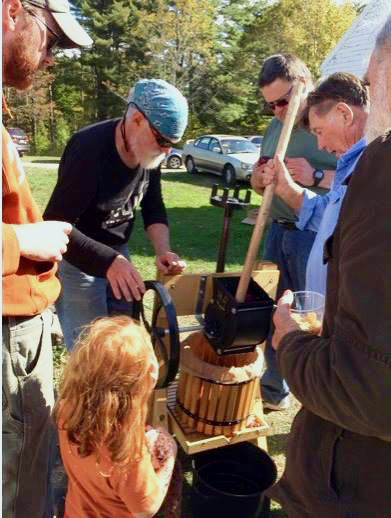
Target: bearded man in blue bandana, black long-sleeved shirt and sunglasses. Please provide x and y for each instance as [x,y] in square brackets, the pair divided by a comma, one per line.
[106,172]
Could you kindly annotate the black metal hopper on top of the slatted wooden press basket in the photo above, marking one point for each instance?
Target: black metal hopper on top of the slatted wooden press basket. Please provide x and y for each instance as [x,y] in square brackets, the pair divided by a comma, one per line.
[237,328]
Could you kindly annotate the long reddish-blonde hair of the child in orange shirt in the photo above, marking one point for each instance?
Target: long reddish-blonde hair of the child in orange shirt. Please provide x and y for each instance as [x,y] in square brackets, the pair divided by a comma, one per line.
[103,399]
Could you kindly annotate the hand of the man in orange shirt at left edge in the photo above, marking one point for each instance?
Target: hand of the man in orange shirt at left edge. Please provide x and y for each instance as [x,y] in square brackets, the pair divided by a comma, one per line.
[43,241]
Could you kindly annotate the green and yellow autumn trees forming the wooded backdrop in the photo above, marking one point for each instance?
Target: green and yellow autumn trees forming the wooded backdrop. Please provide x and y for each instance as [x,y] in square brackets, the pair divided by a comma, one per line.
[212,50]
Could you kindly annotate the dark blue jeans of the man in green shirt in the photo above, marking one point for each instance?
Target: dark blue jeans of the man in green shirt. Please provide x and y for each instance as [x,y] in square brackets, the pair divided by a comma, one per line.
[289,249]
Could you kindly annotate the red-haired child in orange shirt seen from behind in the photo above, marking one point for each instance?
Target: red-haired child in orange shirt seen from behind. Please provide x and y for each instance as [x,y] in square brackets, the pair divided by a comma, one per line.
[114,467]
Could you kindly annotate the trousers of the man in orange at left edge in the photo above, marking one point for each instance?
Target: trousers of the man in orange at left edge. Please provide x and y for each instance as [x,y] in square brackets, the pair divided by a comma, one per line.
[27,404]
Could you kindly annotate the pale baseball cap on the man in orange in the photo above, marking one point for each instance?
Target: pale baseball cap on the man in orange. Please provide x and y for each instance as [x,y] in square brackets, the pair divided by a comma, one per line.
[75,35]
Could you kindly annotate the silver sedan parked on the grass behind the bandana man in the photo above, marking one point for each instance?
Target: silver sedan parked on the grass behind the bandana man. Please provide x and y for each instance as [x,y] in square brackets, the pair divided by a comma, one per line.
[227,155]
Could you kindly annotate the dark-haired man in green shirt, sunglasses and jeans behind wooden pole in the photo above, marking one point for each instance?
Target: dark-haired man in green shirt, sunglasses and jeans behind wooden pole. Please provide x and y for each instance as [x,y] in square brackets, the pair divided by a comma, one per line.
[285,244]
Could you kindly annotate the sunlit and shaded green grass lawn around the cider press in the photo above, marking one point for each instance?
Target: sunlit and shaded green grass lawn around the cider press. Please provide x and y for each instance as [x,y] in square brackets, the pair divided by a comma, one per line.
[195,227]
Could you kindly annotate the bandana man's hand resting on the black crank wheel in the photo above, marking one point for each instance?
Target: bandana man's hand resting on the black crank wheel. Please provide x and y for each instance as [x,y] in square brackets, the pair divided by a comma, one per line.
[124,279]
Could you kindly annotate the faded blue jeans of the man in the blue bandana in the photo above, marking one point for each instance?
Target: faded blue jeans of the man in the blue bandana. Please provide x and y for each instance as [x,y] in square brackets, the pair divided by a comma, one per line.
[84,298]
